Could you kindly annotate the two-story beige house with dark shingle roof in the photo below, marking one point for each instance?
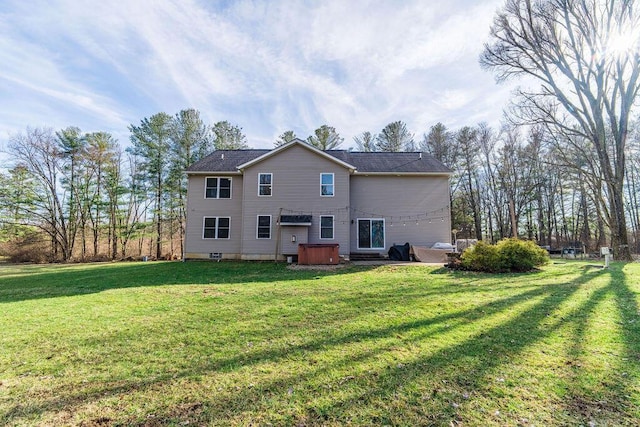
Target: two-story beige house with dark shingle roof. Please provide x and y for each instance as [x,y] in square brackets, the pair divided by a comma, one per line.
[260,204]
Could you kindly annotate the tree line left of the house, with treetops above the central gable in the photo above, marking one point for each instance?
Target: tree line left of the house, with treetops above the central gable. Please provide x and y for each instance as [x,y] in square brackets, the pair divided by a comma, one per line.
[80,195]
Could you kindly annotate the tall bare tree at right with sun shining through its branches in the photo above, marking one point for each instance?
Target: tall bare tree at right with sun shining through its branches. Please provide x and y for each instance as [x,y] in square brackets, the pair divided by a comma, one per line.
[584,55]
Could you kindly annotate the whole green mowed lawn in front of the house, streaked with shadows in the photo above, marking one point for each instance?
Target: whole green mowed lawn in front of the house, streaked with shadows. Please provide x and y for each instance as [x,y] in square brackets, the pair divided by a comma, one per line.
[170,343]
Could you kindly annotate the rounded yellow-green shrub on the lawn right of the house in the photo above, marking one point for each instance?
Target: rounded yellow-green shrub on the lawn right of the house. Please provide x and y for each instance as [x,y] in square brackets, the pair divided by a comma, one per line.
[508,255]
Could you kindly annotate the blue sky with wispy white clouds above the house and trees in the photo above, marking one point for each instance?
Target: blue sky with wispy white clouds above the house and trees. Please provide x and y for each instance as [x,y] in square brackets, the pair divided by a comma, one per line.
[267,66]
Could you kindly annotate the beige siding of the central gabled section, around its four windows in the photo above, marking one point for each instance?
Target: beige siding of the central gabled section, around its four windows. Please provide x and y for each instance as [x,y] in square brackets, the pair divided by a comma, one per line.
[296,190]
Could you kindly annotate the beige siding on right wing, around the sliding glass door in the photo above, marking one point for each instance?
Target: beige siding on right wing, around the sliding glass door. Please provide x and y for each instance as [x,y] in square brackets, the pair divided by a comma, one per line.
[396,199]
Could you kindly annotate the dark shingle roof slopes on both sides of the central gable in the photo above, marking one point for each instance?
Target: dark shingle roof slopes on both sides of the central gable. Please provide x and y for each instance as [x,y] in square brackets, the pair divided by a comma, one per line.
[376,162]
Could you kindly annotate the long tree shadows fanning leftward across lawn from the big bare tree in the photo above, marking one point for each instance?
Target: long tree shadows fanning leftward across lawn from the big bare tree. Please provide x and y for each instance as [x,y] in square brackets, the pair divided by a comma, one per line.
[474,357]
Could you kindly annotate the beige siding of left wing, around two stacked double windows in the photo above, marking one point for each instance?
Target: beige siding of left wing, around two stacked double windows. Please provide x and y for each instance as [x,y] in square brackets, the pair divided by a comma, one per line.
[199,207]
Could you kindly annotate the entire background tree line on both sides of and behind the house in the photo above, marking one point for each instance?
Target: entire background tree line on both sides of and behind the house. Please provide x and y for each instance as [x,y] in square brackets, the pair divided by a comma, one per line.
[92,199]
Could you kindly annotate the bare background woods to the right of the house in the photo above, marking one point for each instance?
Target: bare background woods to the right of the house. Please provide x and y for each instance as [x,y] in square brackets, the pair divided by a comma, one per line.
[523,182]
